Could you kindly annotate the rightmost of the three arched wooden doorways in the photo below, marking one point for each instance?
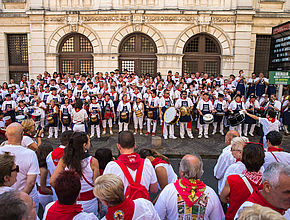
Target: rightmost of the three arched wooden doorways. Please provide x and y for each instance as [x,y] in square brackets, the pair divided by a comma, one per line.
[201,54]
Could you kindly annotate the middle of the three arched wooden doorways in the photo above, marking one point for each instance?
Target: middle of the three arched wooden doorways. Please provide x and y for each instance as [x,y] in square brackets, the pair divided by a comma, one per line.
[138,54]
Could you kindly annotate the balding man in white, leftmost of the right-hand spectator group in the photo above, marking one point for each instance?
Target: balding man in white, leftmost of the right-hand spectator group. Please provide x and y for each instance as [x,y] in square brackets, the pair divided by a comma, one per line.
[225,159]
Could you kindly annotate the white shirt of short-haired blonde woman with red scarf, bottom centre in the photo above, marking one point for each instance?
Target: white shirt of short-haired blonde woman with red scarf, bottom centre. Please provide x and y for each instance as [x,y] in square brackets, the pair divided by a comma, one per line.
[144,210]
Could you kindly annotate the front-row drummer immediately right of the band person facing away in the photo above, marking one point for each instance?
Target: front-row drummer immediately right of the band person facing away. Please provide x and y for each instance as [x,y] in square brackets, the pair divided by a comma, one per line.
[95,110]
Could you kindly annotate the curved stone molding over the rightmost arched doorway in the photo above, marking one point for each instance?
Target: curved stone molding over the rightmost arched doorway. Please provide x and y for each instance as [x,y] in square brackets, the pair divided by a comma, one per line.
[219,34]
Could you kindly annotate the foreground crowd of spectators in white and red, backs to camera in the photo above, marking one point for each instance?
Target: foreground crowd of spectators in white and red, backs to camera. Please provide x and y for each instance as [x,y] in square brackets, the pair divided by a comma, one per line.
[68,183]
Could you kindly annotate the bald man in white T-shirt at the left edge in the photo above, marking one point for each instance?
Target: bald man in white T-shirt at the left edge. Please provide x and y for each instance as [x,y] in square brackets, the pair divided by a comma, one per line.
[25,158]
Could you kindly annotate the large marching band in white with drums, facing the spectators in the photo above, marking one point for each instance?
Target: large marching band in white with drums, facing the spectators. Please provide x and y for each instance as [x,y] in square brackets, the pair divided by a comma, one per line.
[88,102]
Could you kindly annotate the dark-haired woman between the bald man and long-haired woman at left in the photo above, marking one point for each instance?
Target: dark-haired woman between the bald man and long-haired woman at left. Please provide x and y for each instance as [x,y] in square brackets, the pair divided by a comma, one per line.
[44,189]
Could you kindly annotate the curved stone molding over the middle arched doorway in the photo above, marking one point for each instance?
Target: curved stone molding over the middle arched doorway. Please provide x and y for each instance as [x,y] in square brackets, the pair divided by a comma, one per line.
[146,29]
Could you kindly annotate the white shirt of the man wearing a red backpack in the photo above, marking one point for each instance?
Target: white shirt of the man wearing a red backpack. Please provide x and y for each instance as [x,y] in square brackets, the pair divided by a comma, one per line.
[148,174]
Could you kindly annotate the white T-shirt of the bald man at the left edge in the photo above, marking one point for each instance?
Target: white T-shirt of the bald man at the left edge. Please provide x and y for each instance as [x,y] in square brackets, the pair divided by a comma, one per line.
[28,165]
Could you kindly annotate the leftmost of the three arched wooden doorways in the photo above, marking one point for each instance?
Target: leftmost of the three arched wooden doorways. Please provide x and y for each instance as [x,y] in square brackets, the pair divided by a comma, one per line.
[75,54]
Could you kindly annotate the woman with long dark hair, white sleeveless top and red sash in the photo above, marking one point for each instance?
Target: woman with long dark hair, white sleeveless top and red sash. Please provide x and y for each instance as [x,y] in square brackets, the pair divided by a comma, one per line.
[76,158]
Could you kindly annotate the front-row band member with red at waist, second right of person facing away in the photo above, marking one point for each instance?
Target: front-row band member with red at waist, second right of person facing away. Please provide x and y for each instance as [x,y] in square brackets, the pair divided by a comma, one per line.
[108,113]
